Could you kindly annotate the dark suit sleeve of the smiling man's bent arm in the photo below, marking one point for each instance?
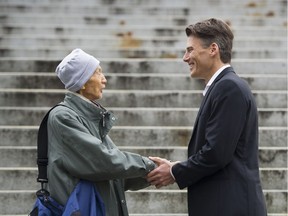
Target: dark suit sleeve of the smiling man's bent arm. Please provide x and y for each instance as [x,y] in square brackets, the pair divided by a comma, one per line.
[222,122]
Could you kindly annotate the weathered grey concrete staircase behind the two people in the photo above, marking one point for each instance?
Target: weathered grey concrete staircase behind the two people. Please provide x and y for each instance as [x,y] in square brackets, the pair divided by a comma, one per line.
[140,44]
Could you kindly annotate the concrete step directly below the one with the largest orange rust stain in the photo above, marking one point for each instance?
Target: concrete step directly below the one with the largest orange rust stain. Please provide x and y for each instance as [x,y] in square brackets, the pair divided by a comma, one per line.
[132,49]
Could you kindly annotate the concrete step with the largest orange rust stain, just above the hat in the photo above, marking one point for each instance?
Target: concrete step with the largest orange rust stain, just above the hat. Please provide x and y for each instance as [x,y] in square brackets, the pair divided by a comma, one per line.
[130,41]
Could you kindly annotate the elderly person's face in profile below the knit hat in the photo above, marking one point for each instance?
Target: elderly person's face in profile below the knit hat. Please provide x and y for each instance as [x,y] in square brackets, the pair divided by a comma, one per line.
[93,88]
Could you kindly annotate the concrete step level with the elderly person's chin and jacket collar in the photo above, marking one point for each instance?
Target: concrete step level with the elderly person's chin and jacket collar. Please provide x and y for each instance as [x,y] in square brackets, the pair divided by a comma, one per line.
[132,98]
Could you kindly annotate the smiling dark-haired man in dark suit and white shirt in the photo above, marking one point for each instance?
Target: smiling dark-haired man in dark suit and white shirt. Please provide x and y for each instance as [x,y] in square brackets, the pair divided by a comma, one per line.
[222,171]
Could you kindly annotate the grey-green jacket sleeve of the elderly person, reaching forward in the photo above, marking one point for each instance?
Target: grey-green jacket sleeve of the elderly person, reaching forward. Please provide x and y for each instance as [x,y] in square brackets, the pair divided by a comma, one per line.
[85,156]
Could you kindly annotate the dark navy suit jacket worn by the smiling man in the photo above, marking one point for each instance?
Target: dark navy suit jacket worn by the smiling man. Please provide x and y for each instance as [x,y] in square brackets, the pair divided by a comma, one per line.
[222,173]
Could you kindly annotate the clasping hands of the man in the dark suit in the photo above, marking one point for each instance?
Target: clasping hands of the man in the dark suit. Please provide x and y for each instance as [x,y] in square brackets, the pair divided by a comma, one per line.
[162,174]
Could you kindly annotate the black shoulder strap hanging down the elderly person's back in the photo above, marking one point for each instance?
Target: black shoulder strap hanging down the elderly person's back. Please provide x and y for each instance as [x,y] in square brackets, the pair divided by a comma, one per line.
[42,149]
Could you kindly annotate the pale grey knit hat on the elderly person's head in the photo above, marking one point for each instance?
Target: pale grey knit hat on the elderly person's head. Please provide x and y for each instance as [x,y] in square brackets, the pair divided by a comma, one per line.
[76,69]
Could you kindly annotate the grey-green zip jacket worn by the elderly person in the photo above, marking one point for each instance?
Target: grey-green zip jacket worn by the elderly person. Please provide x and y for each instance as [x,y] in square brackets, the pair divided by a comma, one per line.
[79,148]
